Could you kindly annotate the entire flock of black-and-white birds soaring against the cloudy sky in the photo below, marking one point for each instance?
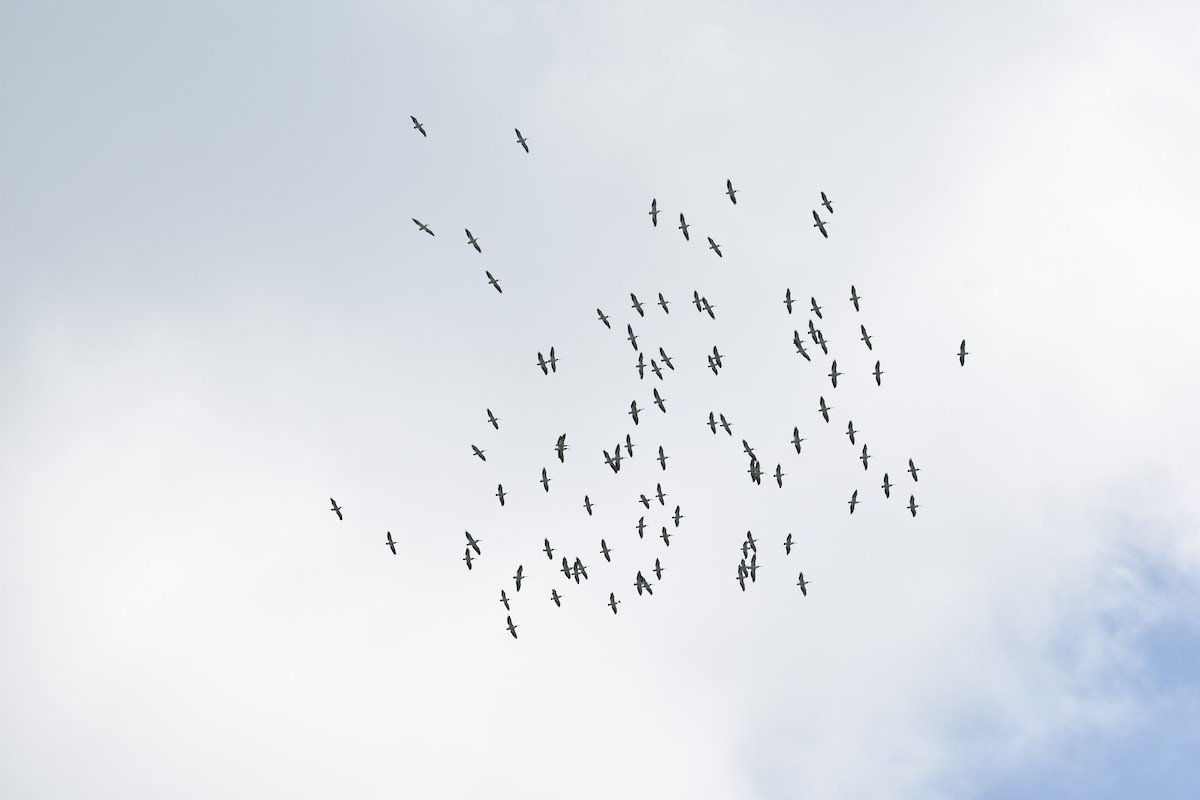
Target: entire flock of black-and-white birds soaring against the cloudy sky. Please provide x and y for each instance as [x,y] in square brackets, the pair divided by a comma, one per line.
[574,568]
